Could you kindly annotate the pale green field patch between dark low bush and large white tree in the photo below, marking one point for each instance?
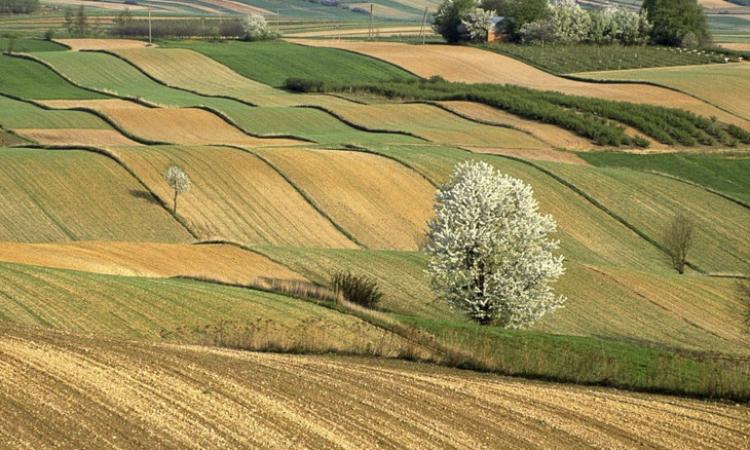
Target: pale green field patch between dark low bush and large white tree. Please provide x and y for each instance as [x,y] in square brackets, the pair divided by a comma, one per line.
[400,274]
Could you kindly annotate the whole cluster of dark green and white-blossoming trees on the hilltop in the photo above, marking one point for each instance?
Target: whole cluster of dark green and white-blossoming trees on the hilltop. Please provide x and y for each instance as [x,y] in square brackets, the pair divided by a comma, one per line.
[663,22]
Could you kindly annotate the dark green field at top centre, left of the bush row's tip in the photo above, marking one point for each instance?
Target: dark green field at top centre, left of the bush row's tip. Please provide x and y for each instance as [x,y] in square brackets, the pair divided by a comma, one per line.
[275,61]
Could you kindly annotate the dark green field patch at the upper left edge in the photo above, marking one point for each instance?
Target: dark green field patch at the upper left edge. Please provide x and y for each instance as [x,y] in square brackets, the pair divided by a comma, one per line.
[32,80]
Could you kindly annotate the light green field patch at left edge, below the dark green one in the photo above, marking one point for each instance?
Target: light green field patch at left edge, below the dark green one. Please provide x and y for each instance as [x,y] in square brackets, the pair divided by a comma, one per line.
[17,114]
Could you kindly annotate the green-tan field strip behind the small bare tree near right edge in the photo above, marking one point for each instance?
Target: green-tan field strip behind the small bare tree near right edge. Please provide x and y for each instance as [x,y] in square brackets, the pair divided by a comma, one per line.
[649,202]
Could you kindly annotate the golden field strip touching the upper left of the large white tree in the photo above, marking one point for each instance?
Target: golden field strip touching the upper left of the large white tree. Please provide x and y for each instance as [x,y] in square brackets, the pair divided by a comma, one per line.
[383,204]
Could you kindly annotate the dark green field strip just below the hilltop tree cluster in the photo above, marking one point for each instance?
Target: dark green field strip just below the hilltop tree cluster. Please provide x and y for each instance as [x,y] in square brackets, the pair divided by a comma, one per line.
[574,58]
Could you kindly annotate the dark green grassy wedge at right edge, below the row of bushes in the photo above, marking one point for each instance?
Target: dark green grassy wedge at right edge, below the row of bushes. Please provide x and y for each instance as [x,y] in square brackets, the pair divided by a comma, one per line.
[724,174]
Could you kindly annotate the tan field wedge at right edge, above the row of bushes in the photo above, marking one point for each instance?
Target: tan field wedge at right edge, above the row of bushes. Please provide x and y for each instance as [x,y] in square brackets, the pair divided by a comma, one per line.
[717,84]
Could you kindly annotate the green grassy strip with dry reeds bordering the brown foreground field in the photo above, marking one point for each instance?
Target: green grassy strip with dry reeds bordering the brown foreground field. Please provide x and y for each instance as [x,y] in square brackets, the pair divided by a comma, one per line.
[591,360]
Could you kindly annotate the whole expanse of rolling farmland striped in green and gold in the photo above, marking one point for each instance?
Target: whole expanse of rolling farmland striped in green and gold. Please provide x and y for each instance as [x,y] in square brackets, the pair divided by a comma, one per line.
[143,309]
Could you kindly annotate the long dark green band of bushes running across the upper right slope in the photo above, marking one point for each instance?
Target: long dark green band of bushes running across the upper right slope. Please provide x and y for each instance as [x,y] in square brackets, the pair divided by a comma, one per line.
[594,119]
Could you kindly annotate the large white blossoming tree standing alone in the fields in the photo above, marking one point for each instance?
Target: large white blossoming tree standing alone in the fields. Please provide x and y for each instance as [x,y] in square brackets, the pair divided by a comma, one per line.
[490,251]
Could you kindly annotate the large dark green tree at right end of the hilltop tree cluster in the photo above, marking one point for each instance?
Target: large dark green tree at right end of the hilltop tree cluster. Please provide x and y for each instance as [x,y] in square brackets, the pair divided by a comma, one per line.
[677,22]
